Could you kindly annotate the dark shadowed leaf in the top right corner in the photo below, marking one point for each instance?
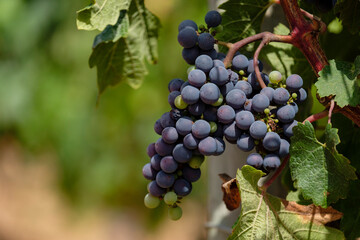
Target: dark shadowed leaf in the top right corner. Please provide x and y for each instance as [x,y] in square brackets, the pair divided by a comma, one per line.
[349,11]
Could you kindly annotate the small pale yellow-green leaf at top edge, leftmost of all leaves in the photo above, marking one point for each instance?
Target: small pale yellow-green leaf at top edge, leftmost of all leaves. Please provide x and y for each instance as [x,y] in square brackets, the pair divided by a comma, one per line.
[100,13]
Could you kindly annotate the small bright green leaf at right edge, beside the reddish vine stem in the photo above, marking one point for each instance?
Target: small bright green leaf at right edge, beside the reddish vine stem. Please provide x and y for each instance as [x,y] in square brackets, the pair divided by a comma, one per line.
[339,79]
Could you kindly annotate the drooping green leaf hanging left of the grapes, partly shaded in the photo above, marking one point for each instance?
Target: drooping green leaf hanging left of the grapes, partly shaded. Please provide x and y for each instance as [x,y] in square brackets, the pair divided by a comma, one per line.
[120,50]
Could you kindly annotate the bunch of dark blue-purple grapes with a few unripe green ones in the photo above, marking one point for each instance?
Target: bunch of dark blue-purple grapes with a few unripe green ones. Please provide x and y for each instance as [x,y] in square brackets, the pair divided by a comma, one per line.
[217,103]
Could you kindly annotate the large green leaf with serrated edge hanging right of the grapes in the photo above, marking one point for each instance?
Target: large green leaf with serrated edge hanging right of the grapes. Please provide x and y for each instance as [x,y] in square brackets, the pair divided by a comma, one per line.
[317,168]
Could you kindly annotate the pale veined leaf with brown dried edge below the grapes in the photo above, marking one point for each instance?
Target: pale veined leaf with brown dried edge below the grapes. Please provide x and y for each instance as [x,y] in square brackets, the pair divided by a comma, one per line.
[264,216]
